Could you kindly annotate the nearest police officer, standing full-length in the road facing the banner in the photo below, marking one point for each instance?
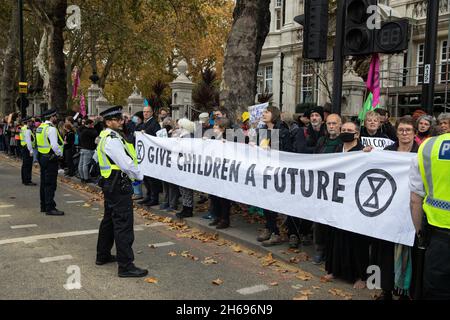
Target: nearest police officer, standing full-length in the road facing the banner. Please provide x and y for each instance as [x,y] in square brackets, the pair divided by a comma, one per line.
[118,167]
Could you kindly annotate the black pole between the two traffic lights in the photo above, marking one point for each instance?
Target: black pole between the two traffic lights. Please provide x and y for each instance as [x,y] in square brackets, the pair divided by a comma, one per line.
[338,58]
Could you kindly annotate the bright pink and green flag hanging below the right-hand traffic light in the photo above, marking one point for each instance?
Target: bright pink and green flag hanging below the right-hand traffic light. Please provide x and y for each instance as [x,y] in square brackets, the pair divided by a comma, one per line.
[373,87]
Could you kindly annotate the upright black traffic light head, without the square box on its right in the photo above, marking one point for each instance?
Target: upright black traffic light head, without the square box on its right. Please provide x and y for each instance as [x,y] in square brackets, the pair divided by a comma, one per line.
[358,36]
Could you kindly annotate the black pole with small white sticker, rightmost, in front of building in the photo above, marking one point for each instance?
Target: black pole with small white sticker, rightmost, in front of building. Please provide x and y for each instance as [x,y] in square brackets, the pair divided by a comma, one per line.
[430,56]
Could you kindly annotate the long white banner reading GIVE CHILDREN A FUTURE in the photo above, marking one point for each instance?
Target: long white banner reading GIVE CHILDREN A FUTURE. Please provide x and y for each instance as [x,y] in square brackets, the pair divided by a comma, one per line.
[366,193]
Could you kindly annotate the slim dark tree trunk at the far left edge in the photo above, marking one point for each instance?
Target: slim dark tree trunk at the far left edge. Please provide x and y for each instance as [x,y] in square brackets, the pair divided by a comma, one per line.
[7,103]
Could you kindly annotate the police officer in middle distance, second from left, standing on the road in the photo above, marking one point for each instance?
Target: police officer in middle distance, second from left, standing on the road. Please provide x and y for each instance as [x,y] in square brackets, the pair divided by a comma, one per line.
[50,148]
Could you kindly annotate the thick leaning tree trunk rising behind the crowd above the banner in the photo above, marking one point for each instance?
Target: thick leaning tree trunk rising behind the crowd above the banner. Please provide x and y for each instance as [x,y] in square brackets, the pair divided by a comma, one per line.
[242,54]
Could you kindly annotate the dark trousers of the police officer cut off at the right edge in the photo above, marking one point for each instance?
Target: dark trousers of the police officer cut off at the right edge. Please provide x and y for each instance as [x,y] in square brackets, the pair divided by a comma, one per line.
[436,278]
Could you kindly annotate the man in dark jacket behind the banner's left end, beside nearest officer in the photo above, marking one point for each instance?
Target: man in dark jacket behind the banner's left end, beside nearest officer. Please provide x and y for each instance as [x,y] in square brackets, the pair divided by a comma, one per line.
[150,126]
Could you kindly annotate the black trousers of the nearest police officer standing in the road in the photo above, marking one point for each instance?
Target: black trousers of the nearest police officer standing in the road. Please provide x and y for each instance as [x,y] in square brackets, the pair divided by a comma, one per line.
[117,223]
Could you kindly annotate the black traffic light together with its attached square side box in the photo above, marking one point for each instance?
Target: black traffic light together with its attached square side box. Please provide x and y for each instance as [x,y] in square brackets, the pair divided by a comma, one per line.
[361,35]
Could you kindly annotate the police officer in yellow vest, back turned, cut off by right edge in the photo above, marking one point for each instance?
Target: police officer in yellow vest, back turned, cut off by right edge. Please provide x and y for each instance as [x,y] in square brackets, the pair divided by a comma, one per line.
[430,194]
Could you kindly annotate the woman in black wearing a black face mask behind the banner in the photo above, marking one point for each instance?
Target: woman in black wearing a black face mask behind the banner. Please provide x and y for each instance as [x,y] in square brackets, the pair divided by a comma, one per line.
[348,252]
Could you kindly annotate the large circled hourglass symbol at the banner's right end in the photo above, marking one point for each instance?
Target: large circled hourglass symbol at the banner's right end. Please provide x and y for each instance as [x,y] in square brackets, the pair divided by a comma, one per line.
[374,192]
